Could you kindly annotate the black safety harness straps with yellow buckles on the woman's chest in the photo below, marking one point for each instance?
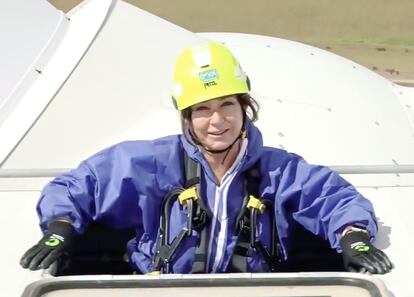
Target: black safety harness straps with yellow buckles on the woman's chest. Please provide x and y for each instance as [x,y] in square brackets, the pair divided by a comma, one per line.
[199,216]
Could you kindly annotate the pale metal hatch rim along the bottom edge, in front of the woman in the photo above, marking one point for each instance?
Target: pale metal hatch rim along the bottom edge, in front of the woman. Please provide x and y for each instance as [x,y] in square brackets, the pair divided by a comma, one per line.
[232,285]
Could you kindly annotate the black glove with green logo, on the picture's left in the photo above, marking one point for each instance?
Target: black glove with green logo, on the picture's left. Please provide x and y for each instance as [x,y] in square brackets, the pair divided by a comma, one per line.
[51,247]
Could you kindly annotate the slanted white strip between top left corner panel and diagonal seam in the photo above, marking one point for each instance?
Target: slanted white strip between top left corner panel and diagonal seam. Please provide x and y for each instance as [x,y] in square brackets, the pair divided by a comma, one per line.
[48,71]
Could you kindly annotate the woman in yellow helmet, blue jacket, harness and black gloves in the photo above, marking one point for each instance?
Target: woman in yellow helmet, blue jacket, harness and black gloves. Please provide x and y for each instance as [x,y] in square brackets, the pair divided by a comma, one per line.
[233,211]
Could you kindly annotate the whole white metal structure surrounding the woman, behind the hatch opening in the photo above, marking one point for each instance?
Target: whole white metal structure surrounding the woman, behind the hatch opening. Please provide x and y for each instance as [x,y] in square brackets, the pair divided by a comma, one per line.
[74,84]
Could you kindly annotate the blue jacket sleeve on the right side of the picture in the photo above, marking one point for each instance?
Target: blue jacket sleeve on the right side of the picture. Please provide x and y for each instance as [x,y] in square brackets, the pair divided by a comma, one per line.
[322,201]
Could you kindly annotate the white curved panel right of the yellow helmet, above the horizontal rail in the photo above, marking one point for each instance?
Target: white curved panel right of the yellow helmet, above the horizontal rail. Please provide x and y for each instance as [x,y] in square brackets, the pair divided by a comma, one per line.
[322,106]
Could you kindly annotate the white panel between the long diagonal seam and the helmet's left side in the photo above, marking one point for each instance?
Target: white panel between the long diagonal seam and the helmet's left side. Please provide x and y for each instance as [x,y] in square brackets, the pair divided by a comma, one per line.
[120,90]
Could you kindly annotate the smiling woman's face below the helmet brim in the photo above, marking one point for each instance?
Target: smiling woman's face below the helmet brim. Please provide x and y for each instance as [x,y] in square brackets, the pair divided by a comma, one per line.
[217,123]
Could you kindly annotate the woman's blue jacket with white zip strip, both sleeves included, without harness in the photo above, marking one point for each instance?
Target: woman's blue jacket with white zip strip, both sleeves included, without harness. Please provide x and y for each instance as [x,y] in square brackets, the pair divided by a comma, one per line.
[124,186]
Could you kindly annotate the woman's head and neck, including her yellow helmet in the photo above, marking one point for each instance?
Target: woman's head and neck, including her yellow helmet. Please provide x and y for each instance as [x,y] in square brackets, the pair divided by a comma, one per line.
[218,125]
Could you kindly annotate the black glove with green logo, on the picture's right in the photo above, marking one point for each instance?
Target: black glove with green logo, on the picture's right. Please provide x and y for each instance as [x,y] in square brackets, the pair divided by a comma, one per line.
[360,255]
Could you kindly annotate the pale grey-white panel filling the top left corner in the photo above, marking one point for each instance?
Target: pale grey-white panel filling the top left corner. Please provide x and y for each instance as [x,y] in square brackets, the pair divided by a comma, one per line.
[25,28]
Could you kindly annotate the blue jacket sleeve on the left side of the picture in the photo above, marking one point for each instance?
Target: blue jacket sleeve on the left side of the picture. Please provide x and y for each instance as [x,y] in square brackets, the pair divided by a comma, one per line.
[106,188]
